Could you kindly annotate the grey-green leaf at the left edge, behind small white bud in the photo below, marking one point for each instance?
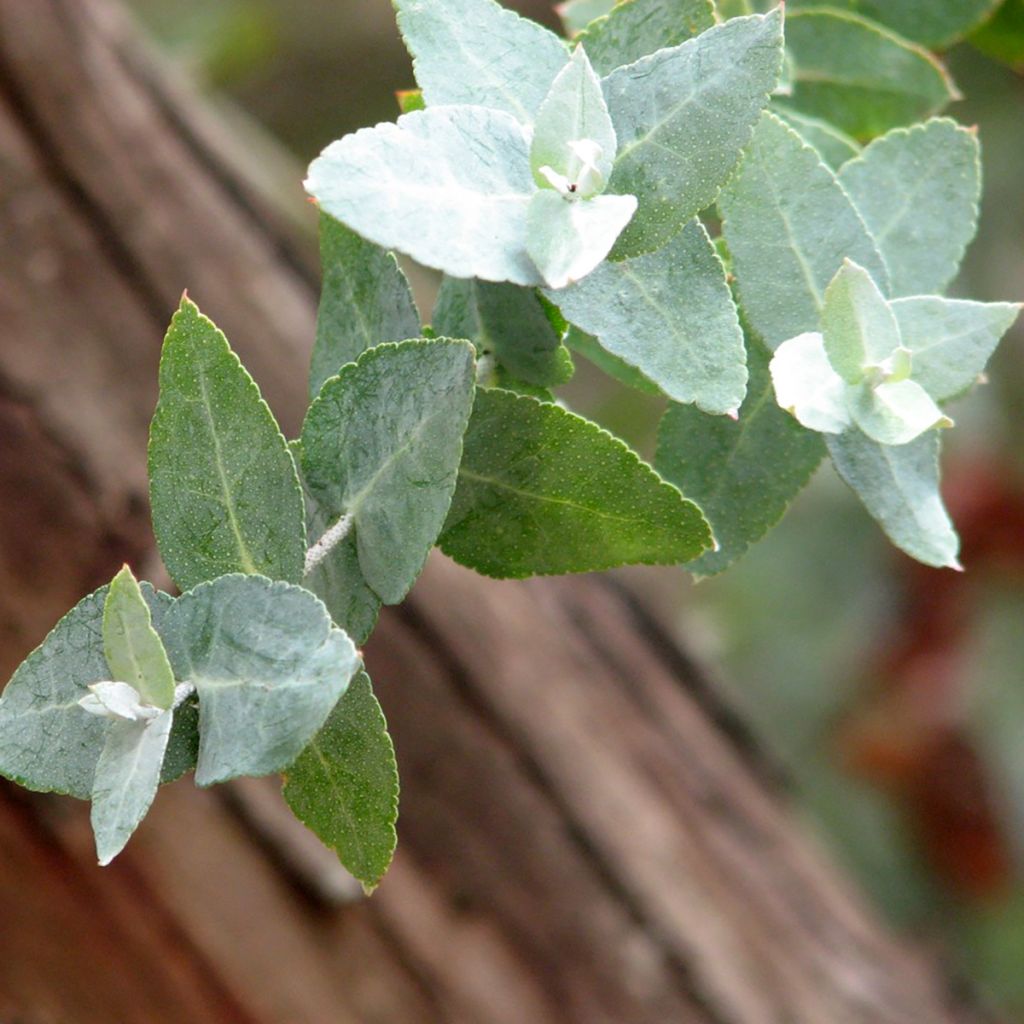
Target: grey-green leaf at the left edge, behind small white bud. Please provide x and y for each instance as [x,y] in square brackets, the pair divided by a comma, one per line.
[48,742]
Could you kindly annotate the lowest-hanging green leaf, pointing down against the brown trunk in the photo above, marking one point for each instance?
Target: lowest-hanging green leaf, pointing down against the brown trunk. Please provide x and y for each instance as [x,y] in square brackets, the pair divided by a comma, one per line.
[345,786]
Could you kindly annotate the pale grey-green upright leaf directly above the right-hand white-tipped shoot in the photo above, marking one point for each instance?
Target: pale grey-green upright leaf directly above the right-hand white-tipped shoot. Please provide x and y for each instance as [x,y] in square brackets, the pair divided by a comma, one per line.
[788,243]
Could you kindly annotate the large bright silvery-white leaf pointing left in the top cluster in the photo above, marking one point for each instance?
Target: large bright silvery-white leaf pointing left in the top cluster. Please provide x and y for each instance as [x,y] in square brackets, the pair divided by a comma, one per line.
[449,186]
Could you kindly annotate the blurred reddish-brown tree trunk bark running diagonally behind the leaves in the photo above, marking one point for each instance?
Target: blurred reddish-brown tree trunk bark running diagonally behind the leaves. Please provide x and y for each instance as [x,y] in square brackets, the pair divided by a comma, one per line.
[588,835]
